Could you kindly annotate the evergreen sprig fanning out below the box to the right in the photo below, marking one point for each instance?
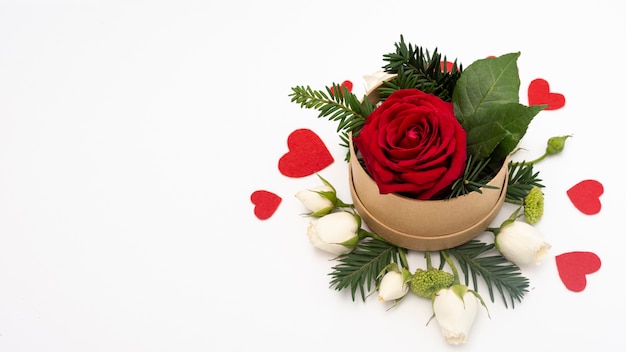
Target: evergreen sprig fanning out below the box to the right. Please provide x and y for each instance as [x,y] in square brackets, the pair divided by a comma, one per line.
[497,272]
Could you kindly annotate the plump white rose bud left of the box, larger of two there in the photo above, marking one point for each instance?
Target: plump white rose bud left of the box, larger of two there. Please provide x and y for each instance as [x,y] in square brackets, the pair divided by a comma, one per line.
[335,233]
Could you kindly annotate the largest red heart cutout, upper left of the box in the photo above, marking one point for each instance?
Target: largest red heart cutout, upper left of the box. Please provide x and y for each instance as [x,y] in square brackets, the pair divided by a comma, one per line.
[307,154]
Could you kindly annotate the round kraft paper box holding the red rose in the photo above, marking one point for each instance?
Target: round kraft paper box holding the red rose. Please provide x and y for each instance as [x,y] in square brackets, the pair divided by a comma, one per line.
[425,225]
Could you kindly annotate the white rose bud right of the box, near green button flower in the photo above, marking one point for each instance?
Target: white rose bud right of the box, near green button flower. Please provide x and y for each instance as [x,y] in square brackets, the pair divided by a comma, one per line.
[521,243]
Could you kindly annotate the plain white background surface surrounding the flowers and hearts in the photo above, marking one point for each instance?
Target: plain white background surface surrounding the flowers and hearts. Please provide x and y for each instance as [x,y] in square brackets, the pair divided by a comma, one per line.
[132,134]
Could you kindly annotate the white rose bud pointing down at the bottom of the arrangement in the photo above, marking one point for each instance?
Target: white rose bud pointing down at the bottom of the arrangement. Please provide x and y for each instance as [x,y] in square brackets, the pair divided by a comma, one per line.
[455,310]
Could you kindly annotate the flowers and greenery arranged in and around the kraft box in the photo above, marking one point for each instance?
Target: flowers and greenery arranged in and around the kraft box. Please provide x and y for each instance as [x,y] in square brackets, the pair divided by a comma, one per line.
[437,132]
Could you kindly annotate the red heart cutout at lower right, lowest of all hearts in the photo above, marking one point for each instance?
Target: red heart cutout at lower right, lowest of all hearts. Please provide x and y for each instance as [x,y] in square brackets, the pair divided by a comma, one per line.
[574,266]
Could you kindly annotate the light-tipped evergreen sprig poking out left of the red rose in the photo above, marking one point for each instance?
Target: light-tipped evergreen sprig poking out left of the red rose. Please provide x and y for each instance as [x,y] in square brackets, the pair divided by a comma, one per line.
[336,103]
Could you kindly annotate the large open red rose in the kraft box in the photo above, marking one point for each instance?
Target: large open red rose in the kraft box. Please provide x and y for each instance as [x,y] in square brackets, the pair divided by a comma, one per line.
[413,145]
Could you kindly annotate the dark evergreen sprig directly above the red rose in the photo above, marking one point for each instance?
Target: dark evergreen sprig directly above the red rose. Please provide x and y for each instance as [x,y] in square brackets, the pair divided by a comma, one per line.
[417,68]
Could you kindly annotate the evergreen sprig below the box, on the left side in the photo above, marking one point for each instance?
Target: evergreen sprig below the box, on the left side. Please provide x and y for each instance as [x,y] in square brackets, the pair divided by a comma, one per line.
[359,269]
